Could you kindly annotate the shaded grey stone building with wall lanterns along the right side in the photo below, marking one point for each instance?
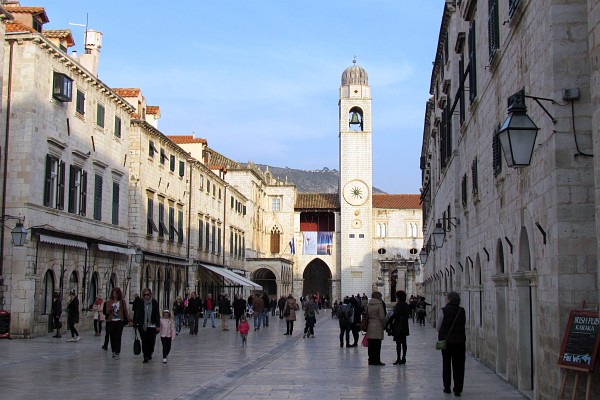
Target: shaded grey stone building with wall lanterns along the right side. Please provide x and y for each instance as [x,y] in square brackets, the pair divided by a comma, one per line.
[520,243]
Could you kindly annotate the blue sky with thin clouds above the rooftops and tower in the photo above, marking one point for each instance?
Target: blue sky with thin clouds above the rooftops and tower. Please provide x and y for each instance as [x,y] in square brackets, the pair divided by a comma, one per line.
[259,80]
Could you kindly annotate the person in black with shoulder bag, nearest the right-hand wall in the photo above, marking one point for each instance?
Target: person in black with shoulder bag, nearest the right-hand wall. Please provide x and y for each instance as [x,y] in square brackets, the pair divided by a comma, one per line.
[451,322]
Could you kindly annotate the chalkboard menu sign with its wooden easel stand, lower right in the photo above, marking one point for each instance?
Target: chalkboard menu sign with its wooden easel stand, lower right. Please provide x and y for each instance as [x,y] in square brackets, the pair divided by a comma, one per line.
[580,348]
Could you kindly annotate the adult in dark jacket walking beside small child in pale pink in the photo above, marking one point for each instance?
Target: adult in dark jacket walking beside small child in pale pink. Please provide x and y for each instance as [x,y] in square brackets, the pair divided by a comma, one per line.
[146,318]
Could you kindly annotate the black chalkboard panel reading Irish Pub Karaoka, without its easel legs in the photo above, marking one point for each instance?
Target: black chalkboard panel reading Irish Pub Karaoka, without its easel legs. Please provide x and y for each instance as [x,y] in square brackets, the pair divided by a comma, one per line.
[581,341]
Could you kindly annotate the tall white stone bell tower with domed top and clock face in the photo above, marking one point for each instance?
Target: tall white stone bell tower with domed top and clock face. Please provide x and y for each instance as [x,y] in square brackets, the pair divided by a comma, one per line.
[356,181]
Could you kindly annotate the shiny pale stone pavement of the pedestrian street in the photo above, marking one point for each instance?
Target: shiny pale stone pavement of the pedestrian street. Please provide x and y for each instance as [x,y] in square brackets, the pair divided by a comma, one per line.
[213,365]
